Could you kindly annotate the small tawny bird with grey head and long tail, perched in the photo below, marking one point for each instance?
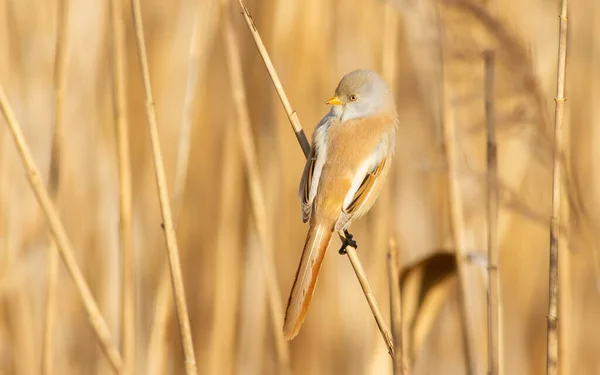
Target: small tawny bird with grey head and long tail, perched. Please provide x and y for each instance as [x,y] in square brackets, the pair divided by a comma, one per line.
[349,160]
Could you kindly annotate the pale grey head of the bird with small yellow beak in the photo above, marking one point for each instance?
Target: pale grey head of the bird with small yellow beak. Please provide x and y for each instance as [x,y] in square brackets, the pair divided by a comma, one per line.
[361,93]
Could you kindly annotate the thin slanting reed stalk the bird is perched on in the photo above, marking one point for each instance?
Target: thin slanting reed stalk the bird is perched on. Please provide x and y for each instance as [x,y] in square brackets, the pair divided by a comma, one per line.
[301,137]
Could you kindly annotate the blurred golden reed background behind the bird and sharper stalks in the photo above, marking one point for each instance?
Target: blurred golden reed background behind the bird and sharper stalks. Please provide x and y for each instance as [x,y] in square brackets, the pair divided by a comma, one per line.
[431,50]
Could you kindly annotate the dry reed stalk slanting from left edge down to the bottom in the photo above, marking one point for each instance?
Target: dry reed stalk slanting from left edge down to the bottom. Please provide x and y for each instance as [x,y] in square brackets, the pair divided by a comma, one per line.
[60,236]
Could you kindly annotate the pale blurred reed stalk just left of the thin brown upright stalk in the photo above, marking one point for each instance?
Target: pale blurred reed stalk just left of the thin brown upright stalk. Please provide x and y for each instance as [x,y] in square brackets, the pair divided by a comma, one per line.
[457,223]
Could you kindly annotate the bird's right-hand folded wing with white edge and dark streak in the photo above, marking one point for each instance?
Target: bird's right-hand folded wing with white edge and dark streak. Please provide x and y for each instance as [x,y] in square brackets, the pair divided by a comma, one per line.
[365,195]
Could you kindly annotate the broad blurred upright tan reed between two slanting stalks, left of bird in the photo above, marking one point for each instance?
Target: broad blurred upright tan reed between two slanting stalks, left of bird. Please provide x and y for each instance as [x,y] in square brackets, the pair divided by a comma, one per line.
[227,259]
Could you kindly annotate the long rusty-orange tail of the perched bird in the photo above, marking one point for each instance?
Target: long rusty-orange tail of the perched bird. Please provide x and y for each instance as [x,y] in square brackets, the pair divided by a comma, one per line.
[317,242]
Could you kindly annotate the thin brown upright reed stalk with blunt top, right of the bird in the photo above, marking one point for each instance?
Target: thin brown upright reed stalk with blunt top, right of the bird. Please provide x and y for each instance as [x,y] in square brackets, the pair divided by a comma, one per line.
[493,292]
